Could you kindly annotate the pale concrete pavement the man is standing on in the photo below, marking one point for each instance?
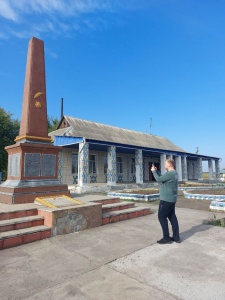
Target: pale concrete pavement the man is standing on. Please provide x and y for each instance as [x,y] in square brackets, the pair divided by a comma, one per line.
[120,261]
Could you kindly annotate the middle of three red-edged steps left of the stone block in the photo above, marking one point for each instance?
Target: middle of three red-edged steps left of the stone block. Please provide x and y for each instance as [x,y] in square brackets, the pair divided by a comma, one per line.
[19,223]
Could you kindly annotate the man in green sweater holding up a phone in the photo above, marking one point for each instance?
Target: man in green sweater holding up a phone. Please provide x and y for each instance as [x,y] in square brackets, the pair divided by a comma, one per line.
[168,197]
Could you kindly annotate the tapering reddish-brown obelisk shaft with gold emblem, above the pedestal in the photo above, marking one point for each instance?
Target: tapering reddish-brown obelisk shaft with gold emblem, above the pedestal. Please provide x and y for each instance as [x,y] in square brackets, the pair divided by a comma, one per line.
[34,124]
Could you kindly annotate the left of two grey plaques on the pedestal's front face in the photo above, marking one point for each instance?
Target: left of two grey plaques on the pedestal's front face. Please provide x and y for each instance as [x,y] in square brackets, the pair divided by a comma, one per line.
[32,164]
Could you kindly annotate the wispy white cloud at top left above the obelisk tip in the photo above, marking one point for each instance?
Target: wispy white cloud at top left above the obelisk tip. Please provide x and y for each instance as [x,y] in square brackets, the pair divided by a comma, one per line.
[25,17]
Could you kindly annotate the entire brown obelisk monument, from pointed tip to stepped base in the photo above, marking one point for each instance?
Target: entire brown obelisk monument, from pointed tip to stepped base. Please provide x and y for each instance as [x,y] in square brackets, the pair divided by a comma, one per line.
[33,160]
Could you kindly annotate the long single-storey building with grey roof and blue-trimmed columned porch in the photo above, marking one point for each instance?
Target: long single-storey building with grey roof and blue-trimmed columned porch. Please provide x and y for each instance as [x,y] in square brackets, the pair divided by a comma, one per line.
[98,153]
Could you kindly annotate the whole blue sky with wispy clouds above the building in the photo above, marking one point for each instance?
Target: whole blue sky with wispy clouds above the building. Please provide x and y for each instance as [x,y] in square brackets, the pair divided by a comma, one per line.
[126,63]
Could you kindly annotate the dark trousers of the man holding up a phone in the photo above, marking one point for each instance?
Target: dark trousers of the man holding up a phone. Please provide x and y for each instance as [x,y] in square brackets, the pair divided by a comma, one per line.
[167,211]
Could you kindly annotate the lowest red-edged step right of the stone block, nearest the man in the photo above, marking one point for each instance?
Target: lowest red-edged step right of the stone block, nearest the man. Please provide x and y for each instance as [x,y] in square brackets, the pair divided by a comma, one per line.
[125,214]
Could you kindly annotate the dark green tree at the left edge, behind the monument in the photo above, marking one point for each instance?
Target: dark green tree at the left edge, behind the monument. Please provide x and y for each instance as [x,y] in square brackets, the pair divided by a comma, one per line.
[9,129]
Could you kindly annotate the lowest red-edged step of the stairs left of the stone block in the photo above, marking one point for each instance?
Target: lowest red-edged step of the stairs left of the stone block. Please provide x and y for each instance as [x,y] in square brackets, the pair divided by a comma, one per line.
[19,237]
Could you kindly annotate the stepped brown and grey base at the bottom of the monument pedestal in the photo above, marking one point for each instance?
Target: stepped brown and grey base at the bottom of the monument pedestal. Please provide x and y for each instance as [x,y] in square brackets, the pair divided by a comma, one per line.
[25,191]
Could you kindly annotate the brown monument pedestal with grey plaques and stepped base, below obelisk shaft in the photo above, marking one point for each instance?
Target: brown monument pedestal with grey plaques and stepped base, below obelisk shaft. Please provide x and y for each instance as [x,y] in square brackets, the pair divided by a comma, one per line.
[32,173]
